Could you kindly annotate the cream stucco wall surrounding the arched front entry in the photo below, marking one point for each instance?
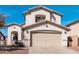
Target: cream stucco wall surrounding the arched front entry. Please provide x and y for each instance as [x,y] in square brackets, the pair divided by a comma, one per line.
[11,29]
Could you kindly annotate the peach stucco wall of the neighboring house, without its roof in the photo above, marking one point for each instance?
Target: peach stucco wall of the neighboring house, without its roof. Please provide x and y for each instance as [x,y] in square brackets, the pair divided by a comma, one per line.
[74,33]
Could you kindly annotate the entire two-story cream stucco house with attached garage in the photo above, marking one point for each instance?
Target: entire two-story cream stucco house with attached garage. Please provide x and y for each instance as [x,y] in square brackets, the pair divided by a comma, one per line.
[42,28]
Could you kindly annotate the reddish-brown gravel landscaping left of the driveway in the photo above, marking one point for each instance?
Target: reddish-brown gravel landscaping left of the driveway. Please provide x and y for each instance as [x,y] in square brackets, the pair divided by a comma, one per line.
[4,50]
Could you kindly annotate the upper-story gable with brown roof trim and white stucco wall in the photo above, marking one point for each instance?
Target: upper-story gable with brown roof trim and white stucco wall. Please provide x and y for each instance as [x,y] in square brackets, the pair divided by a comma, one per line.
[50,15]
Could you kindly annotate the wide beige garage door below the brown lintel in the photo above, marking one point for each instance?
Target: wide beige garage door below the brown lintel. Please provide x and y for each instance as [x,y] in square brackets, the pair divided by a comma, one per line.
[46,40]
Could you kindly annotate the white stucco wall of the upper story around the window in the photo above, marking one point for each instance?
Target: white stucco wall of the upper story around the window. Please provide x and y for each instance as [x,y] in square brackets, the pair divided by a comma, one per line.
[30,18]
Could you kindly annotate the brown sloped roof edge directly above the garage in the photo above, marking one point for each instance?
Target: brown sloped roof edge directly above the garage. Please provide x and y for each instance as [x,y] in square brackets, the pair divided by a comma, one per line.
[45,22]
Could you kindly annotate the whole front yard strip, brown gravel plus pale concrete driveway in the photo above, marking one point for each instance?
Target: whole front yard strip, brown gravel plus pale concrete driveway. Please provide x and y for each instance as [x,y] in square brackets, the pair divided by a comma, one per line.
[64,50]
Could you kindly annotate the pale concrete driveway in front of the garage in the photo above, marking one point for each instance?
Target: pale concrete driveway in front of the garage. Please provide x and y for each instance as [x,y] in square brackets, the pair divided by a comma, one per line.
[54,50]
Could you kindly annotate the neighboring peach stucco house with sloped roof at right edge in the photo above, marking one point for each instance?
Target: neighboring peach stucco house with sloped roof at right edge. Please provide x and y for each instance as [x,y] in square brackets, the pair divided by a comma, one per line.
[74,33]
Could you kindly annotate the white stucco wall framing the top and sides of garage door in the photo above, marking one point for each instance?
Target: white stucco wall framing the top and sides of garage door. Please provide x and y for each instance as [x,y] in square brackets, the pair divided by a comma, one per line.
[50,27]
